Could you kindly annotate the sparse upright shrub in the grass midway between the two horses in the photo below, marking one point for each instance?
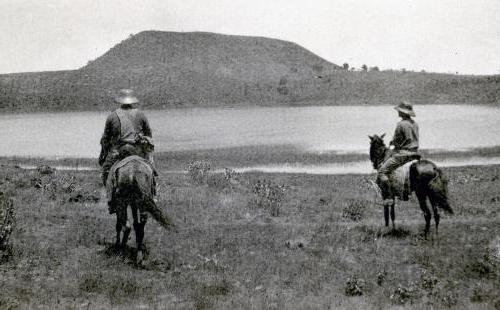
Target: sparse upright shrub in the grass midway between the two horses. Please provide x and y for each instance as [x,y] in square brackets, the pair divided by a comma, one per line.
[268,195]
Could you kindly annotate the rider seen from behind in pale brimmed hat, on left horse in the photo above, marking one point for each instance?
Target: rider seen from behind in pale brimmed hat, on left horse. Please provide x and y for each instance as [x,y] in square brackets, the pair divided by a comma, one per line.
[126,132]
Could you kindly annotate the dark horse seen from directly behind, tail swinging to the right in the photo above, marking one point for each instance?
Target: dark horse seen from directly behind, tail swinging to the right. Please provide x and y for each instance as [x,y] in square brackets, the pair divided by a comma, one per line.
[134,188]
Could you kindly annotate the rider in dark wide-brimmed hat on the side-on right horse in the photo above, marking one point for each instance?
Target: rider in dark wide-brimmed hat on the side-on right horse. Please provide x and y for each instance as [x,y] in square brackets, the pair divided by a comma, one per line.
[405,142]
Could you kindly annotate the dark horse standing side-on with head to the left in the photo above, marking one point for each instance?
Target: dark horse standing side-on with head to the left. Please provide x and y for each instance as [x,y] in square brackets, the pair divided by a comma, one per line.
[426,180]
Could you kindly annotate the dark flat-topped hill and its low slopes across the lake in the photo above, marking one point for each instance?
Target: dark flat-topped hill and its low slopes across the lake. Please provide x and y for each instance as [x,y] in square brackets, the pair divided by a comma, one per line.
[169,69]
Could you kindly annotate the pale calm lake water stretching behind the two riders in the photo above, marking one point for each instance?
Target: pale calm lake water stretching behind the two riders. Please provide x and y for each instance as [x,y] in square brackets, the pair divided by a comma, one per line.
[342,129]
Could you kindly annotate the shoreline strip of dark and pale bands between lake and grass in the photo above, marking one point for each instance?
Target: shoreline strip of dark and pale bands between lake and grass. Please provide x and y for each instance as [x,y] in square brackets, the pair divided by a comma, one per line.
[249,158]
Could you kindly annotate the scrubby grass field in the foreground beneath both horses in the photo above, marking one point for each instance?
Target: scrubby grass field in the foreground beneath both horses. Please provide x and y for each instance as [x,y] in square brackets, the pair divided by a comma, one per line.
[326,248]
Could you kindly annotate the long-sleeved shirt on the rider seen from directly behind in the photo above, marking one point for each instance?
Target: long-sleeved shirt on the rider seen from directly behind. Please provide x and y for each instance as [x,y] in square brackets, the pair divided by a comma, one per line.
[113,134]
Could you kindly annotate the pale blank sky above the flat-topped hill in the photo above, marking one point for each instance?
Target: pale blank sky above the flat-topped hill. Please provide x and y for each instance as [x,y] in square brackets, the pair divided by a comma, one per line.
[436,36]
